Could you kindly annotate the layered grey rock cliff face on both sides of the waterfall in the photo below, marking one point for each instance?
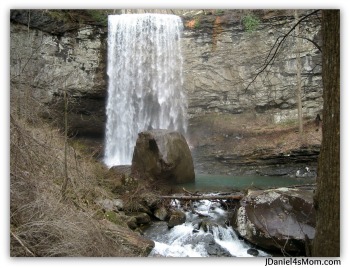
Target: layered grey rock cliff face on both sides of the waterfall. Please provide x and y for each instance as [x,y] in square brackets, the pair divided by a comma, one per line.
[52,53]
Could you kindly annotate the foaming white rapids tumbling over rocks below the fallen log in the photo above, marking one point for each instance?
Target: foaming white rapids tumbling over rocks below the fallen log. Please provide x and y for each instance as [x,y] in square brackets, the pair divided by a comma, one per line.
[191,240]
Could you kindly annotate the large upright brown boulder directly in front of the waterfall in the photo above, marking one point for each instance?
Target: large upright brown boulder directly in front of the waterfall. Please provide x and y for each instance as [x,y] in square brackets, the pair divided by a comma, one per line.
[162,155]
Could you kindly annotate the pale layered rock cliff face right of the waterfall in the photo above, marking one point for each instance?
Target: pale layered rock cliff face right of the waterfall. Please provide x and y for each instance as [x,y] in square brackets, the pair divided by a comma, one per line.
[221,58]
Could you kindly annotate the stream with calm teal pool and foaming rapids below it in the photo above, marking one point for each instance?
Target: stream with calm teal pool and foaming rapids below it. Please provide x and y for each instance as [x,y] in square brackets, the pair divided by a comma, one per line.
[207,231]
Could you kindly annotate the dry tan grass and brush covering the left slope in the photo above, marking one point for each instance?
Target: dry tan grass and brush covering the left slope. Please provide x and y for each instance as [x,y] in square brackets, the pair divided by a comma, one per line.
[42,224]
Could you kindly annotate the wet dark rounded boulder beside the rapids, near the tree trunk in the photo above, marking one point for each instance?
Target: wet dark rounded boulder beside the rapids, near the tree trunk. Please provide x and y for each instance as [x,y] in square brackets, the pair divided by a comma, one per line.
[280,220]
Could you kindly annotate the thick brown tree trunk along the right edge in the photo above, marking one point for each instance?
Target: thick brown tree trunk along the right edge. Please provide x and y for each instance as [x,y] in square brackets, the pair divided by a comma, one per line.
[327,198]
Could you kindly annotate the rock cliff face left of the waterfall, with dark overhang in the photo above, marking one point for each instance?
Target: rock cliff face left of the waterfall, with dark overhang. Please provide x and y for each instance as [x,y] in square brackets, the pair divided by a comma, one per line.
[50,56]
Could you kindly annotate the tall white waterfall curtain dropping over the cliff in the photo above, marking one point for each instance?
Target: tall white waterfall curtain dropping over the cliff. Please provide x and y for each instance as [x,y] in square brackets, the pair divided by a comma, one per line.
[144,81]
